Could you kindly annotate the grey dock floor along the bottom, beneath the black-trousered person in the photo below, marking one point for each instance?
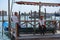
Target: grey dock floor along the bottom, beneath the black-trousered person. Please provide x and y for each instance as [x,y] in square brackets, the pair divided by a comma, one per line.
[47,36]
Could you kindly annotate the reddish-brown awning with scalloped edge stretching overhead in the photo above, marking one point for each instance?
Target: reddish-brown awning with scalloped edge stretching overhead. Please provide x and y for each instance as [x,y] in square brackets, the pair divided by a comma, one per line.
[38,3]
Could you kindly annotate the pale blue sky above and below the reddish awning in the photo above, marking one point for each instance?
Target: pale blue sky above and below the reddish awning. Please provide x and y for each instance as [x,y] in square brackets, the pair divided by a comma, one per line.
[25,8]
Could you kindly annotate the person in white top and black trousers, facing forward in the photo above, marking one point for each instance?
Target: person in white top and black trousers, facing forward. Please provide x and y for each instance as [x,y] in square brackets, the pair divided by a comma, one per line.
[42,25]
